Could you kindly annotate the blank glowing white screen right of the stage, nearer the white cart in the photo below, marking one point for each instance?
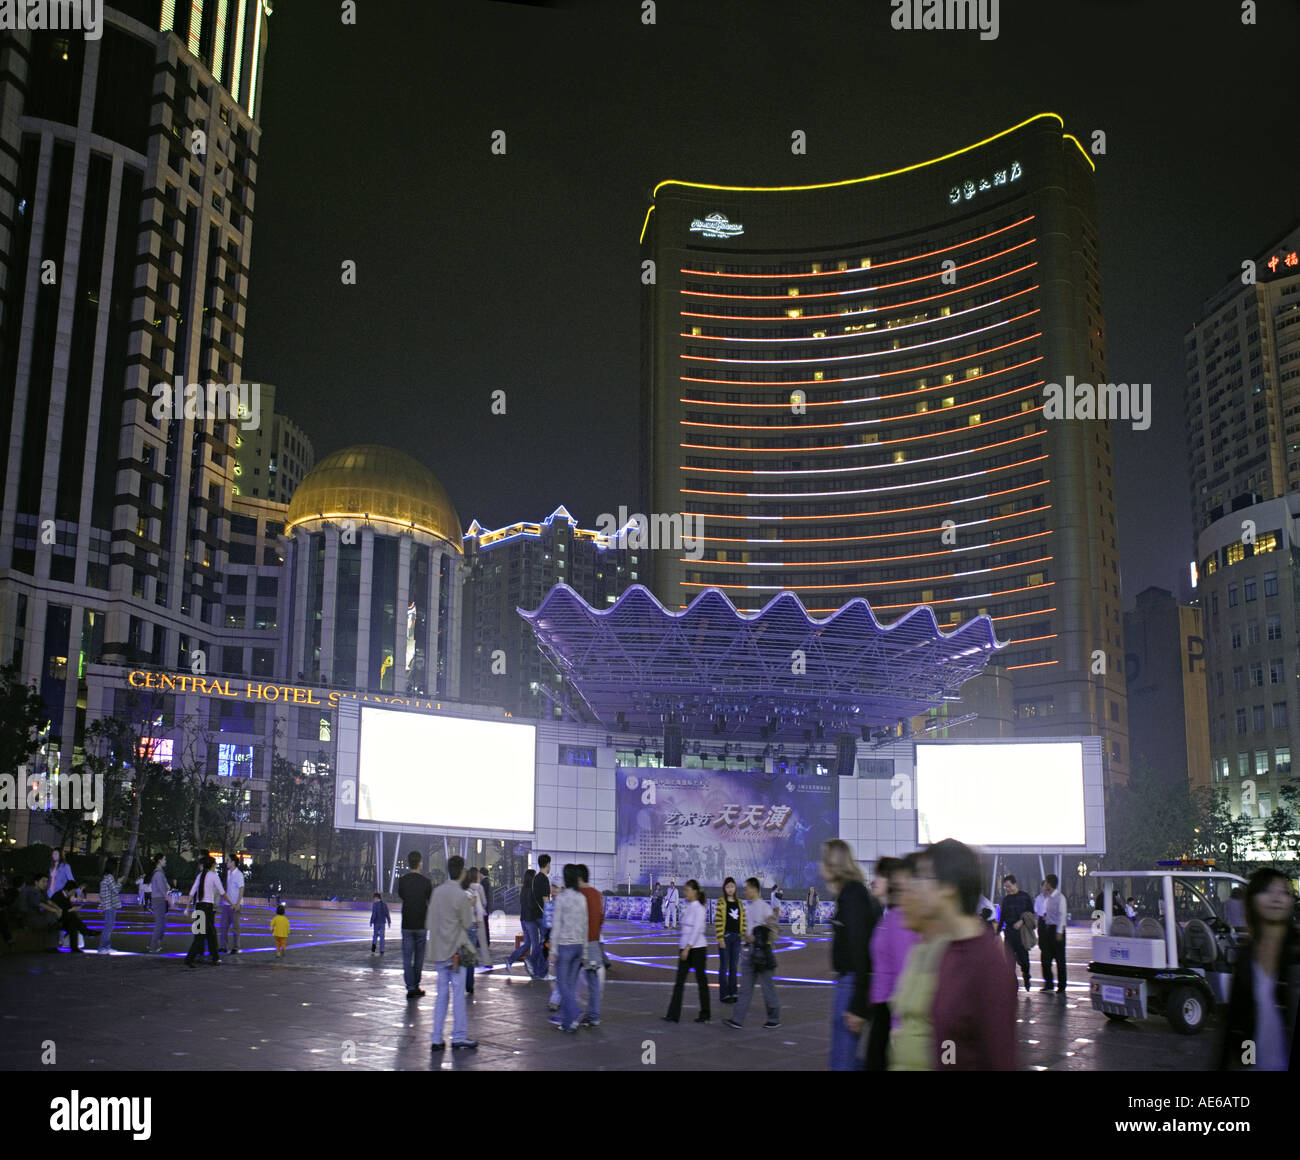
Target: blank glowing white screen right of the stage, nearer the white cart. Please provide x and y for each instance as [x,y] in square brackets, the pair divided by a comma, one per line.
[1002,795]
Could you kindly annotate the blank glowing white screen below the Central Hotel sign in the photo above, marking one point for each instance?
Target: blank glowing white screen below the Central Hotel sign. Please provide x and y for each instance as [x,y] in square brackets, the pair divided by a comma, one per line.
[445,772]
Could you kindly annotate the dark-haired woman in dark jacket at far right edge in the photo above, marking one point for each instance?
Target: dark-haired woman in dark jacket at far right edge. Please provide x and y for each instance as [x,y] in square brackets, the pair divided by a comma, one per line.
[1260,1032]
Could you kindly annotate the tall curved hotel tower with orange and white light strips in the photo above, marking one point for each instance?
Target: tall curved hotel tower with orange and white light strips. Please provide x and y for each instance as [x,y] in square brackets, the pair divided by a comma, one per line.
[844,396]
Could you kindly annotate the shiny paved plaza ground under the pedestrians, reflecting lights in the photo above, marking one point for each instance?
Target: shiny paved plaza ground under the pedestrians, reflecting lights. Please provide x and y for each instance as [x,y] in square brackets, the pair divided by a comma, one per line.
[332,1006]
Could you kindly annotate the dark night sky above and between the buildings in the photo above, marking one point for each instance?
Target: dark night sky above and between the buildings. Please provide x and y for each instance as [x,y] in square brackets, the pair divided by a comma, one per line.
[522,272]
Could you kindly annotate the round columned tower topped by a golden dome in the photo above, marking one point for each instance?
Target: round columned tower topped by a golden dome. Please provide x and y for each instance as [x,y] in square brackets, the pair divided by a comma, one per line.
[375,547]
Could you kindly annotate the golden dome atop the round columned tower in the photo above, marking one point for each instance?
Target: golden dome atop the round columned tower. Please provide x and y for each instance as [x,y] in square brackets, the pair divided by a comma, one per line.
[378,484]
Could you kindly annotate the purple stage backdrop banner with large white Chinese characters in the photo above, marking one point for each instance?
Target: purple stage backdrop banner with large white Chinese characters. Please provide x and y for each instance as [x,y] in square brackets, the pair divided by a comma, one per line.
[710,825]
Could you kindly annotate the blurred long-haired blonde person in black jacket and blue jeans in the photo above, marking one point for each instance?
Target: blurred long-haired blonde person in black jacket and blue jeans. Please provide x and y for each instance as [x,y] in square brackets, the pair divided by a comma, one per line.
[856,917]
